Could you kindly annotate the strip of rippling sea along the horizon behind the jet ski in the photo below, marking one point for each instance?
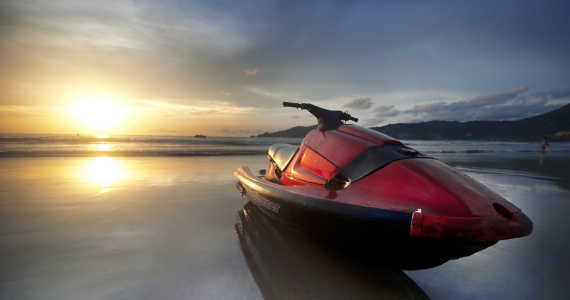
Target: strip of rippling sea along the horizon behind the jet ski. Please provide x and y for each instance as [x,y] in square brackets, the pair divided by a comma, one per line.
[65,145]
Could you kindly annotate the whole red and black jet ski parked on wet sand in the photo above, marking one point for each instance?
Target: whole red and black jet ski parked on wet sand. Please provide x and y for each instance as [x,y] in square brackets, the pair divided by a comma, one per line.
[350,184]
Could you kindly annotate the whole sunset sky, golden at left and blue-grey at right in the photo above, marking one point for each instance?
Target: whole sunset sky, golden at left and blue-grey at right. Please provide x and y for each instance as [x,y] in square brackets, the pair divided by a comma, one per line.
[223,68]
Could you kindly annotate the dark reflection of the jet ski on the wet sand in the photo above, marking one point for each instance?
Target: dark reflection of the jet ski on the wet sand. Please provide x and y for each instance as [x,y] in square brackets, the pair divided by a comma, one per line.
[288,265]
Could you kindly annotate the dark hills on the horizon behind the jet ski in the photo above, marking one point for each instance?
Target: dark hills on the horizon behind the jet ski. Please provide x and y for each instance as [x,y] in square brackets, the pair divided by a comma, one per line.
[554,124]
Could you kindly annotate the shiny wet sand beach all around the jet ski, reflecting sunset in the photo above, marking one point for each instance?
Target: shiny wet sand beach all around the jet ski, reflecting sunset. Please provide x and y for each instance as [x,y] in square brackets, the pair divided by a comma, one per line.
[169,228]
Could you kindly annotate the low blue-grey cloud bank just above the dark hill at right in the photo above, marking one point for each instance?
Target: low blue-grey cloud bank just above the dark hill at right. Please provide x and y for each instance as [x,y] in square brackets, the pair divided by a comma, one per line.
[509,105]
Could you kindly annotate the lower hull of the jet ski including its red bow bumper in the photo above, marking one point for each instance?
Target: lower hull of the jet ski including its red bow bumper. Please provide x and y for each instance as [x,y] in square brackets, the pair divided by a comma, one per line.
[312,211]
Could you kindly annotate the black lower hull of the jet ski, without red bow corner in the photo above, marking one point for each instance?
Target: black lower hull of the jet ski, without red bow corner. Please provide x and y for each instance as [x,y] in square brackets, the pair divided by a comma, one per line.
[348,226]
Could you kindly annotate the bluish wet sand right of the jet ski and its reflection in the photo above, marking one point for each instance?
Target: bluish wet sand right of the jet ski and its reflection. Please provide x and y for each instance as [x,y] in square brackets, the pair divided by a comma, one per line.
[533,267]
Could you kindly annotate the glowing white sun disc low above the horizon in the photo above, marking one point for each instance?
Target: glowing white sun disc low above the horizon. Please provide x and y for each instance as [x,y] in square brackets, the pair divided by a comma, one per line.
[98,112]
